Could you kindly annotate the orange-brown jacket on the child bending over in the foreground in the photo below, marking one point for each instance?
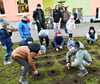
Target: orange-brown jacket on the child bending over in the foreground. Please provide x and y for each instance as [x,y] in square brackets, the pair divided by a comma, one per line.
[23,52]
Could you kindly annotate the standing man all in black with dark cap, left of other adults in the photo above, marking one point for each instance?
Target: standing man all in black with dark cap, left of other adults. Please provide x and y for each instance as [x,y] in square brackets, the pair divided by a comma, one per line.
[38,16]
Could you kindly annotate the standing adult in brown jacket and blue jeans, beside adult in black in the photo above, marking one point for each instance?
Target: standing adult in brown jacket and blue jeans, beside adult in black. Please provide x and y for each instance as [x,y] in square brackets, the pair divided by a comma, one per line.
[65,18]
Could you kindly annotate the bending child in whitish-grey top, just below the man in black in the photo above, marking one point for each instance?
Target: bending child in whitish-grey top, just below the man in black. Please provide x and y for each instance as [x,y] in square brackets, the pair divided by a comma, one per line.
[44,37]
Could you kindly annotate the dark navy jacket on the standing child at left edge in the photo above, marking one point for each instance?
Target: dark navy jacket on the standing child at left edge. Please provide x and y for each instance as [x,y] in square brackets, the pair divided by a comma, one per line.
[5,38]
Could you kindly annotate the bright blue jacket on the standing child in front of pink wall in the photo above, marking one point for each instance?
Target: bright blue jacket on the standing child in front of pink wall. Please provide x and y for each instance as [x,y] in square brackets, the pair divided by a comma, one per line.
[24,30]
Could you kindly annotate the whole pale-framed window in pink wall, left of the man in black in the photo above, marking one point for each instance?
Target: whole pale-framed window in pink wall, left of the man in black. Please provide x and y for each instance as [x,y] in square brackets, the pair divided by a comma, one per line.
[22,6]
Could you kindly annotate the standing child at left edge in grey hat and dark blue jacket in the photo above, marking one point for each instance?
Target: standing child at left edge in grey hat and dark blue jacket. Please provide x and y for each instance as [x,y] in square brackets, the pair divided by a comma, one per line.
[5,38]
